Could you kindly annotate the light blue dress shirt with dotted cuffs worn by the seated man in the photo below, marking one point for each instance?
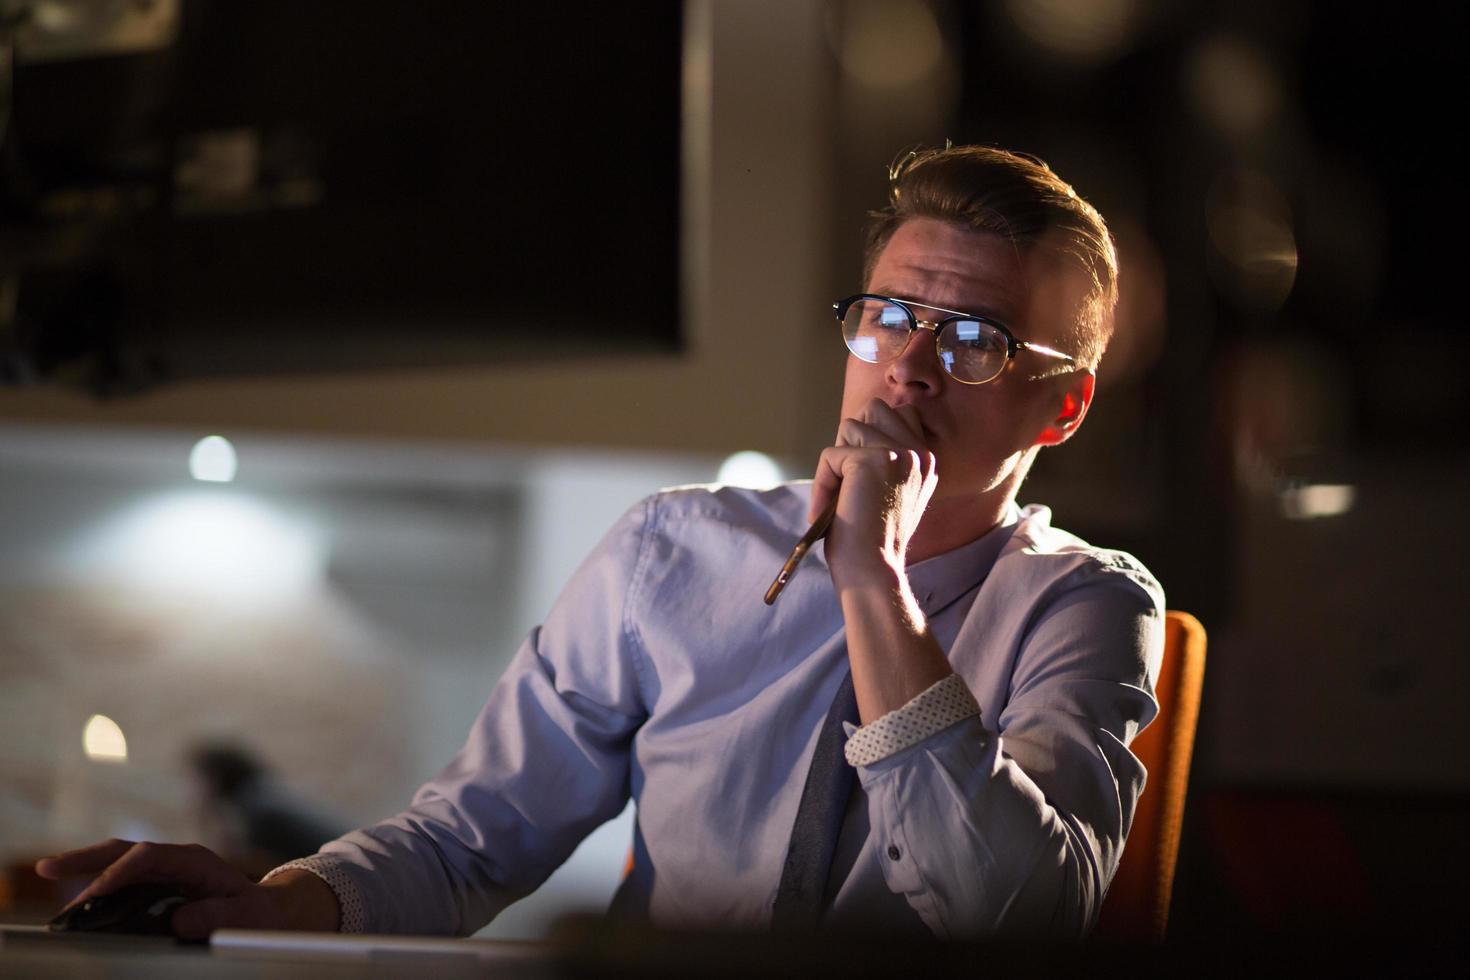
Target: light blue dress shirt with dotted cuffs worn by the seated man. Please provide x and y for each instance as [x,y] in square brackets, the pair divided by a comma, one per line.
[662,675]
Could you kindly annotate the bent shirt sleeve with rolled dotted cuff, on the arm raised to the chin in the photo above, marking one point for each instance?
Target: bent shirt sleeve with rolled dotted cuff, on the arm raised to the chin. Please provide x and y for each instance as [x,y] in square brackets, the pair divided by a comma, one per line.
[1017,826]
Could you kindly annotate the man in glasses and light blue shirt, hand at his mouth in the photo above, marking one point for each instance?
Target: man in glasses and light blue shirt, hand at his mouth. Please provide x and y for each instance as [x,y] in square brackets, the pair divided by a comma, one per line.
[999,666]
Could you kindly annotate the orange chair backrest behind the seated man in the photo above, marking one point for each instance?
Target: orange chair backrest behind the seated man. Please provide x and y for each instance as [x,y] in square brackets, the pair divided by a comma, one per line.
[1137,906]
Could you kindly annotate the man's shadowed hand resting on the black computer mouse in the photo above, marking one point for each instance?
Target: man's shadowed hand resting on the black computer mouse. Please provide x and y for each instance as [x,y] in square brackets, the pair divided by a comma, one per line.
[221,897]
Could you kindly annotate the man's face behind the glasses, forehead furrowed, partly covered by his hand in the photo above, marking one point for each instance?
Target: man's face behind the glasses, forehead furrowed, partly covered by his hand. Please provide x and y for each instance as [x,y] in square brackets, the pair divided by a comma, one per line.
[980,434]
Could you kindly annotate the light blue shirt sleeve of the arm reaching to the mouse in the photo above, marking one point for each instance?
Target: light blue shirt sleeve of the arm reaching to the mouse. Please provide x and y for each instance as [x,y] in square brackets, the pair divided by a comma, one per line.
[546,762]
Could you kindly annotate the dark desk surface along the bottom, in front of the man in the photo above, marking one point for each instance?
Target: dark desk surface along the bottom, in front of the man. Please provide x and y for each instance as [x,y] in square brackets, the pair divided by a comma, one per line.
[600,950]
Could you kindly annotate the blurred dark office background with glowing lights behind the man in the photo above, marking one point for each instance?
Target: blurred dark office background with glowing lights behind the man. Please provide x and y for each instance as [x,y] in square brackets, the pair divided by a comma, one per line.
[461,284]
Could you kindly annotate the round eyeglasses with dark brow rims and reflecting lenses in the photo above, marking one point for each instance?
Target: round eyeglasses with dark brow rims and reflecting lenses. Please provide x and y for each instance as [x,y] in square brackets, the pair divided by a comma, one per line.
[972,349]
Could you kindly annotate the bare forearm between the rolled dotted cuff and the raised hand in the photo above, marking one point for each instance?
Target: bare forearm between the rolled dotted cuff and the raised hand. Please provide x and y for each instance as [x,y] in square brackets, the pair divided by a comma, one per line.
[893,655]
